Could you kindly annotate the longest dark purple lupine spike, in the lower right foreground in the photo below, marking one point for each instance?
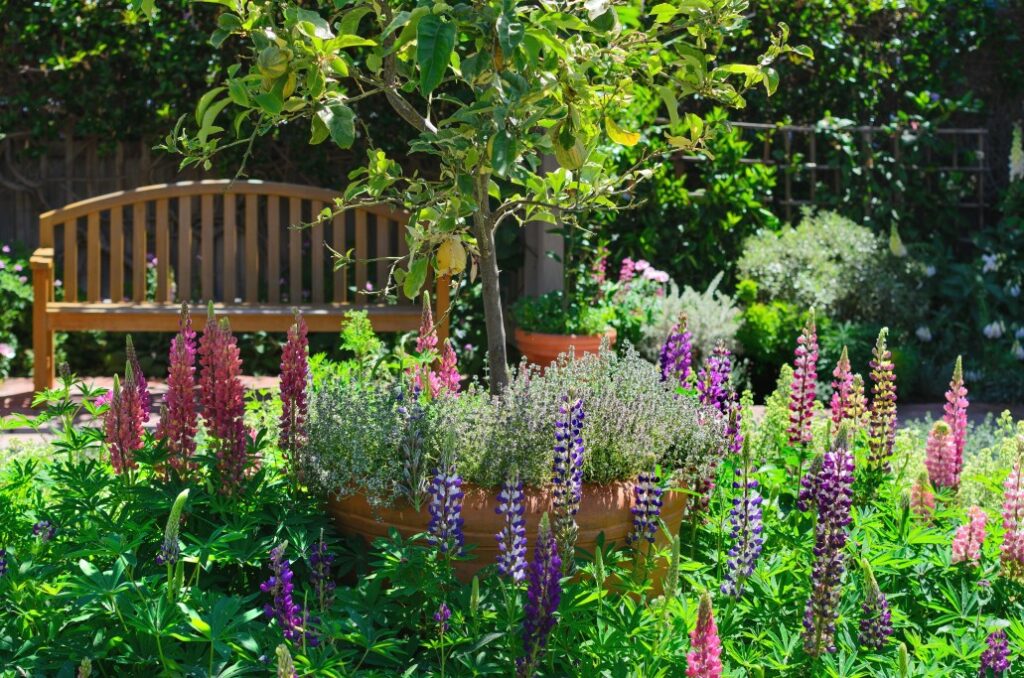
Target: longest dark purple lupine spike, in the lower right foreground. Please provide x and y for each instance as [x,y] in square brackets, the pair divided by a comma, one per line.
[832,492]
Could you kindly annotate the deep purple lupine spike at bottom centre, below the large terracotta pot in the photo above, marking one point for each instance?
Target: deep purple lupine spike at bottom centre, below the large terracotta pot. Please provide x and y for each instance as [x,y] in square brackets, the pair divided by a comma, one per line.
[544,591]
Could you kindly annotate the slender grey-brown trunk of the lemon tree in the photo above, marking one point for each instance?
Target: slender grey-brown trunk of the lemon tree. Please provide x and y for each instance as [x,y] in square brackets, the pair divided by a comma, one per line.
[493,316]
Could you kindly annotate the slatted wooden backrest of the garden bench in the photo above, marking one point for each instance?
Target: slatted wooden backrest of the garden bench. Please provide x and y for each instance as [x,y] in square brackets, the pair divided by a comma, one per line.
[221,241]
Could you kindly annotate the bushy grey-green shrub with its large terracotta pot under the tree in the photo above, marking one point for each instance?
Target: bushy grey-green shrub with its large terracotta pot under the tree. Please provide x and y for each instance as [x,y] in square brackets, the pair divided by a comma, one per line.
[375,452]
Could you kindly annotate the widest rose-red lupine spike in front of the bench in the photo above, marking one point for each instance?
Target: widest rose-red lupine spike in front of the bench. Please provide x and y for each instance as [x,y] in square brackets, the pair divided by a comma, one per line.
[224,405]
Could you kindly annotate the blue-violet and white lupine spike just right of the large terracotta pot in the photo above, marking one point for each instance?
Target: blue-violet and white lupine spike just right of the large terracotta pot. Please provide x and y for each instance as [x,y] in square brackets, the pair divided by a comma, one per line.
[747,525]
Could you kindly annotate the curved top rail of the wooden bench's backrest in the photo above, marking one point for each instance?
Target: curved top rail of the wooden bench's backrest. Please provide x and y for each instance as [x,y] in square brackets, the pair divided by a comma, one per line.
[191,189]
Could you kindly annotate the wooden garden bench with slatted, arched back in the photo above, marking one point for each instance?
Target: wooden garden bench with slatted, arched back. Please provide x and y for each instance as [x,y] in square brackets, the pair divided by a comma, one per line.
[226,242]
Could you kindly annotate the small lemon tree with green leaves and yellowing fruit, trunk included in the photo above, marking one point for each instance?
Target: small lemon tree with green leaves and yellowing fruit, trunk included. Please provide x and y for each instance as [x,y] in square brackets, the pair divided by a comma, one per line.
[492,88]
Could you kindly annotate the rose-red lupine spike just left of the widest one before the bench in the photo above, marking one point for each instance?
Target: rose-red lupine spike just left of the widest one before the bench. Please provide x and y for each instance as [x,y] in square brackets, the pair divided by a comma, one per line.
[180,421]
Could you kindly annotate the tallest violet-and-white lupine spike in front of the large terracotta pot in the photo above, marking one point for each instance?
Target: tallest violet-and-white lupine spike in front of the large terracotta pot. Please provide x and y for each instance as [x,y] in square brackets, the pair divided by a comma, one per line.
[567,477]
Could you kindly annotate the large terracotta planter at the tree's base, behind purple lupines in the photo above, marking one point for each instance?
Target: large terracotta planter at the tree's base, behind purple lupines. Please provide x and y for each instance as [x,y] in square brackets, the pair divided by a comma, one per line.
[605,510]
